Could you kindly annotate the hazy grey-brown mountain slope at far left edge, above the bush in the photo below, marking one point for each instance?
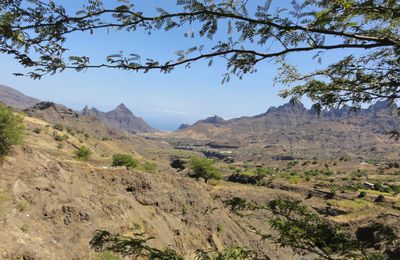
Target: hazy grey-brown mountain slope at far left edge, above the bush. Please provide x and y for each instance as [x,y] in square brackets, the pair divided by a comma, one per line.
[16,99]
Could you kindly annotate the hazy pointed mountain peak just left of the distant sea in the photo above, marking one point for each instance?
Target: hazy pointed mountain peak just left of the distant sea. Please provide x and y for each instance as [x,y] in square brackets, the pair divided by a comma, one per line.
[121,118]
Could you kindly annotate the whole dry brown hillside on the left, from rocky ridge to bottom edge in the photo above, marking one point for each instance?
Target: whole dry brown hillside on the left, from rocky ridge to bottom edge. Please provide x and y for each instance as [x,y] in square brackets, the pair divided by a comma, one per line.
[52,201]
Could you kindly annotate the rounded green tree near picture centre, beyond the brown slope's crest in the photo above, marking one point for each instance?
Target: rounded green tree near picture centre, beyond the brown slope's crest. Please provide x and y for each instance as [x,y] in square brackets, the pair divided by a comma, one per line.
[204,168]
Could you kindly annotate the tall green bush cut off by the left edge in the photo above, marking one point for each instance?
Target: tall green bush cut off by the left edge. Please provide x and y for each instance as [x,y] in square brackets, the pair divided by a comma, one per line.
[11,129]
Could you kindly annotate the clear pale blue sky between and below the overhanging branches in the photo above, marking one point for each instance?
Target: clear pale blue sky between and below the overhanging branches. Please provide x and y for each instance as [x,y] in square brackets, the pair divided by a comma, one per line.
[163,100]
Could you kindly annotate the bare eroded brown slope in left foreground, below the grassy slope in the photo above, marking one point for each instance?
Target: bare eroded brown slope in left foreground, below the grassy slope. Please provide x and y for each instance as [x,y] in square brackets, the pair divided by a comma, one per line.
[50,209]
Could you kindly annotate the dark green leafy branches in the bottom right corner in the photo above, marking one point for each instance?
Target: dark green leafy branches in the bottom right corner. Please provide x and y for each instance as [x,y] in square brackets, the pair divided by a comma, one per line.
[302,230]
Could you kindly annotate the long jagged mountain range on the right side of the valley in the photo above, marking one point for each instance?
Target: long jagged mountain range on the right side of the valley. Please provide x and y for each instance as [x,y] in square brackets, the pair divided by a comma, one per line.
[296,131]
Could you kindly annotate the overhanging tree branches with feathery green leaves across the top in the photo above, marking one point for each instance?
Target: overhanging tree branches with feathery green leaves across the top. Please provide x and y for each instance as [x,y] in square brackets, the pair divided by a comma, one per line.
[35,32]
